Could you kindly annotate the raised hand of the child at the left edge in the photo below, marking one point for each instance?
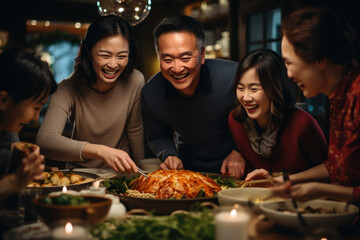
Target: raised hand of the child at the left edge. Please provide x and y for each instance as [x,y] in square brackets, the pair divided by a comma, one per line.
[31,169]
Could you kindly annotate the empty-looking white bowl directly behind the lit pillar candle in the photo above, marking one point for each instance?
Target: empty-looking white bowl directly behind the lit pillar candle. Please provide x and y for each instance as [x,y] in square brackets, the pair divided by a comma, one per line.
[241,196]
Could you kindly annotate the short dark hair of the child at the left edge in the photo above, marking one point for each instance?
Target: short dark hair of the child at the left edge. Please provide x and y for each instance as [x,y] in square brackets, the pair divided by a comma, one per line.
[23,75]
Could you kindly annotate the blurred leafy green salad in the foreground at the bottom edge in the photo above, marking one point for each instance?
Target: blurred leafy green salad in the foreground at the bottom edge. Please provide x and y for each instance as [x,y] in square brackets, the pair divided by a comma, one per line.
[192,226]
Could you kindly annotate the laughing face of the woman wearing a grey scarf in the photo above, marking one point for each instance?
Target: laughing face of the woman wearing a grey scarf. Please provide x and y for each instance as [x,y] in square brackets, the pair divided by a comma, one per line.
[253,98]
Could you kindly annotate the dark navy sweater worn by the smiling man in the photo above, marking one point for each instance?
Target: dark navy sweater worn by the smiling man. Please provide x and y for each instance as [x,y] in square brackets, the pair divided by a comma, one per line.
[194,129]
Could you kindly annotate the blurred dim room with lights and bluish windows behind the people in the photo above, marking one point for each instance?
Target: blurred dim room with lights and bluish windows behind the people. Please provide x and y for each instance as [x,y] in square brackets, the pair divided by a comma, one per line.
[54,28]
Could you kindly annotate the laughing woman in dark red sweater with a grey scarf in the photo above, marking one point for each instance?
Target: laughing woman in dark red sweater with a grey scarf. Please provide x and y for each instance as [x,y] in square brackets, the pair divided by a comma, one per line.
[269,131]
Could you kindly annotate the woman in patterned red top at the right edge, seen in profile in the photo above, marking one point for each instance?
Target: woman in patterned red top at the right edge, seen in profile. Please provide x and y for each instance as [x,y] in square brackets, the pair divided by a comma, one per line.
[321,53]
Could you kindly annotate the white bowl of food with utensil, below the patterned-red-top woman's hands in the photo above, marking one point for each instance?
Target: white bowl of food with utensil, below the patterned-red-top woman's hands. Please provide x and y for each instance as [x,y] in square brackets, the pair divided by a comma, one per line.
[344,216]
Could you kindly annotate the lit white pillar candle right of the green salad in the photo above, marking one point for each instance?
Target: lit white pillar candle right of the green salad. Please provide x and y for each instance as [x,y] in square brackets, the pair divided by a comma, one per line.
[231,226]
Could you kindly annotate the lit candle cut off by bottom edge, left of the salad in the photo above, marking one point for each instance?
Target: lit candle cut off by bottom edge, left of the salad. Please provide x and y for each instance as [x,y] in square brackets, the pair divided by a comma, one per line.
[69,232]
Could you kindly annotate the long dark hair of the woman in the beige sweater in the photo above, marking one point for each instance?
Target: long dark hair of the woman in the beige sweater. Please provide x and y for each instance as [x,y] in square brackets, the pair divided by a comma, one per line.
[103,27]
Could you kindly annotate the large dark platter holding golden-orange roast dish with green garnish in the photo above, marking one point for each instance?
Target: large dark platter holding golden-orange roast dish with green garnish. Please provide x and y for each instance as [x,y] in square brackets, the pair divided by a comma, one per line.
[165,191]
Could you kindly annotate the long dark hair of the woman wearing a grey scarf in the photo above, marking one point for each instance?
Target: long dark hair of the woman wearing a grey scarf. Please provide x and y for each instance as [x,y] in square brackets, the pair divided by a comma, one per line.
[274,80]
